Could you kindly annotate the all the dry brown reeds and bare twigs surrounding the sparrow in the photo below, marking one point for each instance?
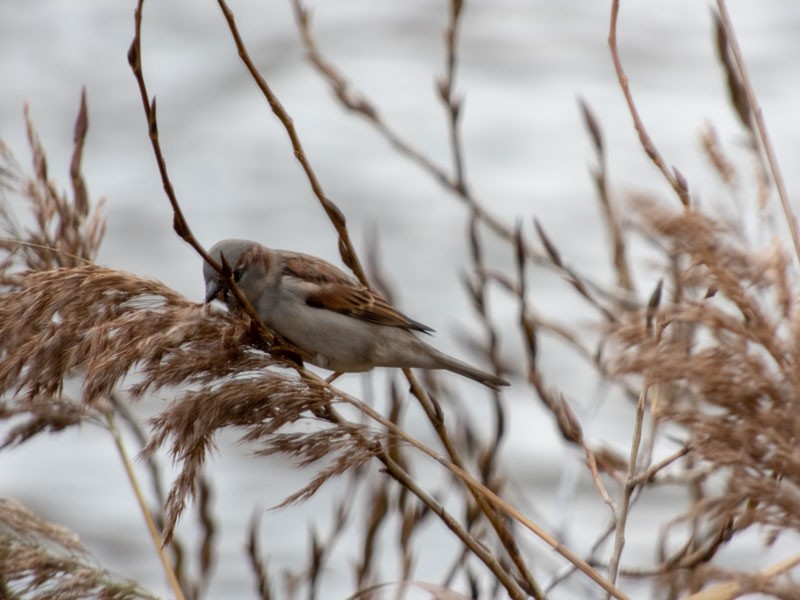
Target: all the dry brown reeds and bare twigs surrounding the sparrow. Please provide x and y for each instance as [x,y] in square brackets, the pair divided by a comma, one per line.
[708,358]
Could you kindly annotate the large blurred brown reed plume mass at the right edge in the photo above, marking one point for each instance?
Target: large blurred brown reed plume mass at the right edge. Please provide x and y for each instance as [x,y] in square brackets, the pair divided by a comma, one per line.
[720,358]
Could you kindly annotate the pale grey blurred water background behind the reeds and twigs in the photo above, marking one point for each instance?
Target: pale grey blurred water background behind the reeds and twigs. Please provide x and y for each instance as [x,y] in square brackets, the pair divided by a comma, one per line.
[522,67]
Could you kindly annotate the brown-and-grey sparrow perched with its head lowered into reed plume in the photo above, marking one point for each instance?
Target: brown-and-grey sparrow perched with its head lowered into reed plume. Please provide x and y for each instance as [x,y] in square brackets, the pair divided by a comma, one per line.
[338,323]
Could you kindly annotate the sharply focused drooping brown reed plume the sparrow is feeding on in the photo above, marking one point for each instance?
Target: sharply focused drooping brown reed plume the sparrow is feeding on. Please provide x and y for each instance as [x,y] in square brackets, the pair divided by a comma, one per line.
[100,324]
